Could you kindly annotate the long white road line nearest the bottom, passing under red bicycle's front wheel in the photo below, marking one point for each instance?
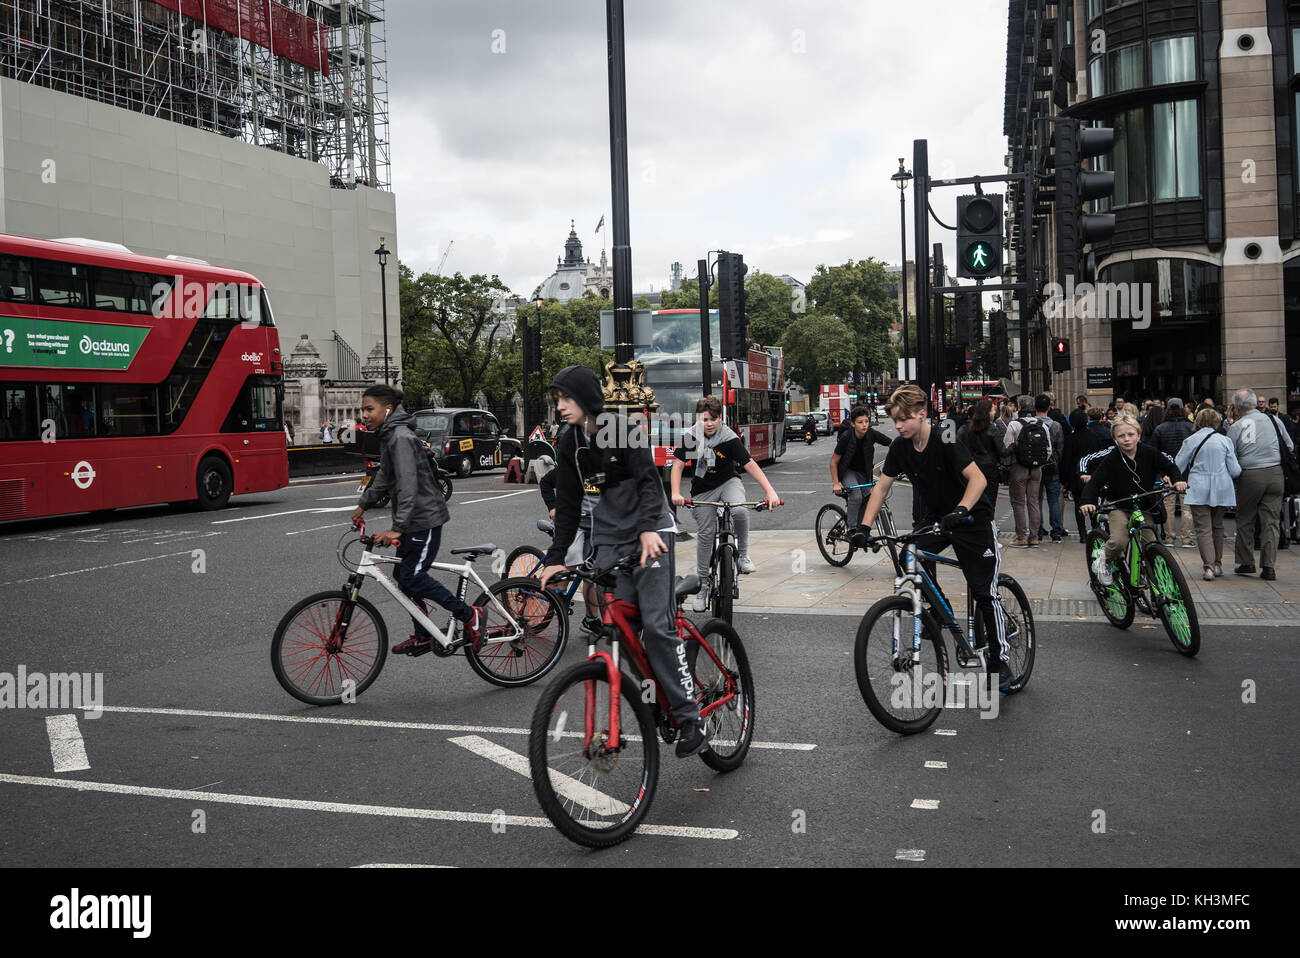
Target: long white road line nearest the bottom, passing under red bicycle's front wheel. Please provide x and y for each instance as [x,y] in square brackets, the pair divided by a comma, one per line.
[340,808]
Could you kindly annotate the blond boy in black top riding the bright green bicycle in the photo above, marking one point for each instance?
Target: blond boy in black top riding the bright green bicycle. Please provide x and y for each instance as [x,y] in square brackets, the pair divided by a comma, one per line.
[1125,470]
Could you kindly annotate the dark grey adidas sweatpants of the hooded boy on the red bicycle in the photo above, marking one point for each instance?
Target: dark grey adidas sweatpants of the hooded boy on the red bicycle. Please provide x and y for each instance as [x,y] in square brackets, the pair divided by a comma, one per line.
[651,589]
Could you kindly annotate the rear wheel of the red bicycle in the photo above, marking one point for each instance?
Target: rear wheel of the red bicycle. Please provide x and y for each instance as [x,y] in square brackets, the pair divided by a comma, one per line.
[731,726]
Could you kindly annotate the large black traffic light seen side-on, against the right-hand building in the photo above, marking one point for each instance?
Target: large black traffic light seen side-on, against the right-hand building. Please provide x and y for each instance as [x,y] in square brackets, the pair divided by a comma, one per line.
[1074,187]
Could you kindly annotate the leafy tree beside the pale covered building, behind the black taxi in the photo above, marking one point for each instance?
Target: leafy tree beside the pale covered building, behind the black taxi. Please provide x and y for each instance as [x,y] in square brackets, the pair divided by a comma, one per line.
[450,333]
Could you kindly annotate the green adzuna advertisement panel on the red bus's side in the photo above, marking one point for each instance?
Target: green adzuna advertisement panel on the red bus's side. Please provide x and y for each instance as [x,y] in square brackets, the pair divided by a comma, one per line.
[62,345]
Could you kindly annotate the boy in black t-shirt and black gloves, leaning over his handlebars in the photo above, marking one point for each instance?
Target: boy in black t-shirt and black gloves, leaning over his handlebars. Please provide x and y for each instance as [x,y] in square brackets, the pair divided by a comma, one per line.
[951,491]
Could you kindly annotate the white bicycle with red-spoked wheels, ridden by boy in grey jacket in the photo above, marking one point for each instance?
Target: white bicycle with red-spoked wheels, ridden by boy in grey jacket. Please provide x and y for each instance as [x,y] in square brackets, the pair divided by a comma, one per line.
[332,645]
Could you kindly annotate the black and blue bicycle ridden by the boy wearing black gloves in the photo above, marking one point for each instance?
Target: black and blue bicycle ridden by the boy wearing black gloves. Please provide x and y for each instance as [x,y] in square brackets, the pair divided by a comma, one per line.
[900,657]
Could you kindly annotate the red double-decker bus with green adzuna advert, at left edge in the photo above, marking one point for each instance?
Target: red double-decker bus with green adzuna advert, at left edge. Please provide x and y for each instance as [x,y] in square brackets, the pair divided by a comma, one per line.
[132,380]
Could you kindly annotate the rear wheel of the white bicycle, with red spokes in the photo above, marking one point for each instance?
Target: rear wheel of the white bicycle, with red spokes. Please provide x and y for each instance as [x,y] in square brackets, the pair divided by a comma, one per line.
[526,660]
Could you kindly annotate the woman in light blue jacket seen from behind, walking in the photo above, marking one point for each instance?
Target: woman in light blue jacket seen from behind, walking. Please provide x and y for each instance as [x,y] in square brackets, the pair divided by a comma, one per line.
[1210,462]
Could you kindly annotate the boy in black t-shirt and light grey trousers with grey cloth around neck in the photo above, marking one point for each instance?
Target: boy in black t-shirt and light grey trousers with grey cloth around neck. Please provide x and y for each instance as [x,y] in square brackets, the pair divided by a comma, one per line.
[714,454]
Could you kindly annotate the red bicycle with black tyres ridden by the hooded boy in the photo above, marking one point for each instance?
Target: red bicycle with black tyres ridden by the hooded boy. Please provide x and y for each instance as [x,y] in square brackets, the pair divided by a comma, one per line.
[592,743]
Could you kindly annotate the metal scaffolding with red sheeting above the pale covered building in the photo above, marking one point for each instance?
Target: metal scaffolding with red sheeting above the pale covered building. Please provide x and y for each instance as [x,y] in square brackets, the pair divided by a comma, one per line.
[326,101]
